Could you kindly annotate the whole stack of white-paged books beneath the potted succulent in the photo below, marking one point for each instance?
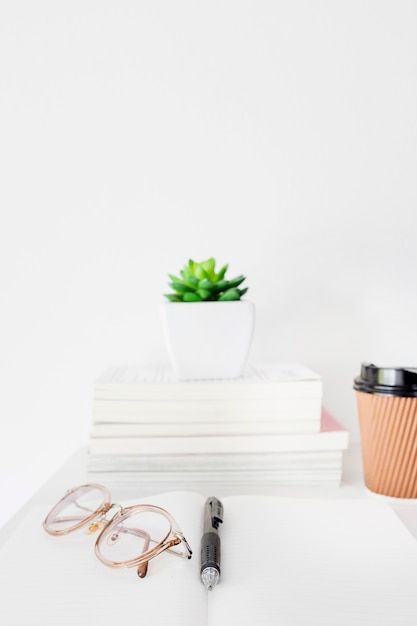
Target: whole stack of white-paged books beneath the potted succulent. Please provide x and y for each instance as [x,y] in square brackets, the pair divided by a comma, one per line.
[267,427]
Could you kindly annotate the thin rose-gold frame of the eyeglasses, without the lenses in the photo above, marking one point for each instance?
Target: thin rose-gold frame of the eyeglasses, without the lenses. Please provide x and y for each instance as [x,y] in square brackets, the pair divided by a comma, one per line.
[174,536]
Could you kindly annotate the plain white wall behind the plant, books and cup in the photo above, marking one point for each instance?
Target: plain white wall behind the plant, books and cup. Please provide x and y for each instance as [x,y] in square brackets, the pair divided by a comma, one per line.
[278,136]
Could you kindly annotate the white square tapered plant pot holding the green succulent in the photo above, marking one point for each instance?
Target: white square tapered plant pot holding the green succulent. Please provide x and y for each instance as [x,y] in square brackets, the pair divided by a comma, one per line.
[208,339]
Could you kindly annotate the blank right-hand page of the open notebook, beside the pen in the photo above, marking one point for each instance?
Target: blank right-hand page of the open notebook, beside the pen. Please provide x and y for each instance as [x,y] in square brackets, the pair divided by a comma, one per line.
[296,562]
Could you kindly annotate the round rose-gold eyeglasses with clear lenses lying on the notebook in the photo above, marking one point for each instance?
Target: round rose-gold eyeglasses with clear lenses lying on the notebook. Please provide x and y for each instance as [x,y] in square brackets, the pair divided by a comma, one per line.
[131,538]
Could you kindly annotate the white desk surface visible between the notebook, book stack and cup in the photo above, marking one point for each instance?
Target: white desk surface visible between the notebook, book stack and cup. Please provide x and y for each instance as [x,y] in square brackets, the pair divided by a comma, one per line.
[74,473]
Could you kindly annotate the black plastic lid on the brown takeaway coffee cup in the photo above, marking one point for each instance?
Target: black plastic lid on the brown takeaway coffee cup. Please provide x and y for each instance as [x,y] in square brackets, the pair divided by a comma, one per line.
[388,381]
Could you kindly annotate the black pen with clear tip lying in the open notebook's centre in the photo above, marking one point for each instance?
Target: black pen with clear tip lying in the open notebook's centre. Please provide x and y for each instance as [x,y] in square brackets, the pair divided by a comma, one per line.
[210,543]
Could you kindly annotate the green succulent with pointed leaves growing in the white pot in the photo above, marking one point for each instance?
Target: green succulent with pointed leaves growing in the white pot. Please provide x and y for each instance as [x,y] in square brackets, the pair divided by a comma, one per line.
[199,282]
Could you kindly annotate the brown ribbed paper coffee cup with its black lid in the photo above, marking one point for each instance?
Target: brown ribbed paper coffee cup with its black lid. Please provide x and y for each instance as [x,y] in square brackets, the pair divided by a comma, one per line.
[387,409]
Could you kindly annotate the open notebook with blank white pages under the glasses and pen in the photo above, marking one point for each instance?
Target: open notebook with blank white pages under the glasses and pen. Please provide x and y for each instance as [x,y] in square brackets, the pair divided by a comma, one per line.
[284,561]
